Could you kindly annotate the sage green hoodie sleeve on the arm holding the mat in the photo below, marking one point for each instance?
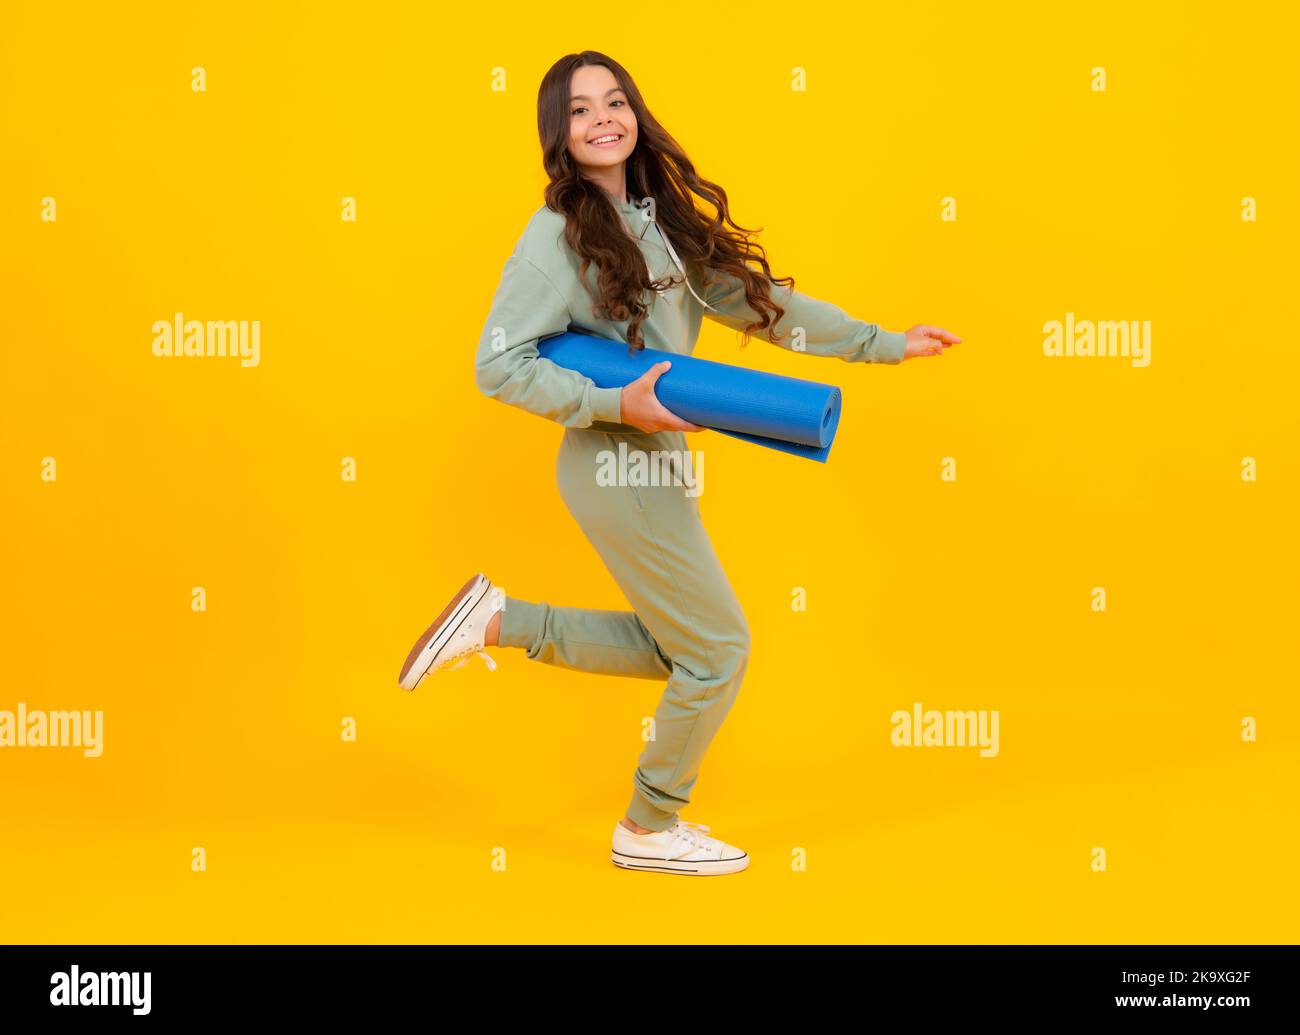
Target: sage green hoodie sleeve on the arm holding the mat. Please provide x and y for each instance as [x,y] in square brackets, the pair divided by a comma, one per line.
[508,367]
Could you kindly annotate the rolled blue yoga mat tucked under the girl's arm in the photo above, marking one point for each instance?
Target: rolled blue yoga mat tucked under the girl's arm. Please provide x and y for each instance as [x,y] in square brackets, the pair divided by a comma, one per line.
[785,414]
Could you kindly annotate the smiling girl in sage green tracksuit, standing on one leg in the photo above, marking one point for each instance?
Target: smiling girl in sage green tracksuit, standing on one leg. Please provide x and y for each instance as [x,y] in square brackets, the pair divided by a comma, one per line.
[619,223]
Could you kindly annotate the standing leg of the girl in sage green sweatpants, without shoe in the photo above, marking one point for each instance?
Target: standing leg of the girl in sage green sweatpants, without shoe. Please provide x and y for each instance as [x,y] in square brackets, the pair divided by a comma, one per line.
[655,544]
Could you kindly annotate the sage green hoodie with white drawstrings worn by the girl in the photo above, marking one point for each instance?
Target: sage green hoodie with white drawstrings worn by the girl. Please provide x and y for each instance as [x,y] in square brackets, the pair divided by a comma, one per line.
[541,295]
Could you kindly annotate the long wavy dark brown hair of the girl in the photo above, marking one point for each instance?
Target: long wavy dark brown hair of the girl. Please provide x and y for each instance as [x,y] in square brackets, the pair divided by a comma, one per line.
[658,168]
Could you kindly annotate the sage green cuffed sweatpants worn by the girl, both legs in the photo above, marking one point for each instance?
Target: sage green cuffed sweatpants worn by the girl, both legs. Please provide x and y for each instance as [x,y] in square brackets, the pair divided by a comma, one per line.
[686,625]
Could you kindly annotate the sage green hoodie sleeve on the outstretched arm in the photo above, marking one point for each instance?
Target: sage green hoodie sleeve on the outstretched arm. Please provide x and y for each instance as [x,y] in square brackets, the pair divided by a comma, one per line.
[829,331]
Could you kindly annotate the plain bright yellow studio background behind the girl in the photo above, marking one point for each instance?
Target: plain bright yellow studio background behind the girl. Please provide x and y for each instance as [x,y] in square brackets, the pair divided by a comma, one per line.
[1119,730]
